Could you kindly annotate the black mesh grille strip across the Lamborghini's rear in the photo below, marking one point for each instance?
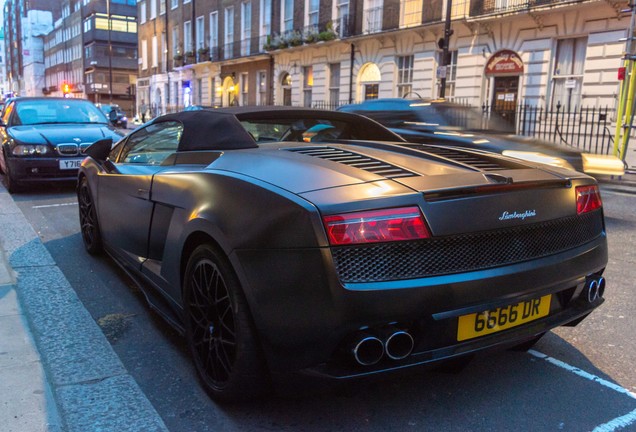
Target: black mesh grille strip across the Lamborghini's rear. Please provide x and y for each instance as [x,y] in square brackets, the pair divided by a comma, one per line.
[463,253]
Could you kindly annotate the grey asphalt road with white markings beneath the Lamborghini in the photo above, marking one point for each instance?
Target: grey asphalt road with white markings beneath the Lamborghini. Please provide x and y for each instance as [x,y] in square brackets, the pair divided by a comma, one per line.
[575,379]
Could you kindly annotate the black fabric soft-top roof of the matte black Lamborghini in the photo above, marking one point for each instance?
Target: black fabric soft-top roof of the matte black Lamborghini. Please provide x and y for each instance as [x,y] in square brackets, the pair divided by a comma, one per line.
[210,130]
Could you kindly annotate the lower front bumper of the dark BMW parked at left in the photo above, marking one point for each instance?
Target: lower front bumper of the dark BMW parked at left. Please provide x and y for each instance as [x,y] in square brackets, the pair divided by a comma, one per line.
[33,170]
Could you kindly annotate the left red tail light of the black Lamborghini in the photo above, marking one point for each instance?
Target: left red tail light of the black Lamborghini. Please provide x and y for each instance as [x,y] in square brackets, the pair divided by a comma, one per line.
[396,224]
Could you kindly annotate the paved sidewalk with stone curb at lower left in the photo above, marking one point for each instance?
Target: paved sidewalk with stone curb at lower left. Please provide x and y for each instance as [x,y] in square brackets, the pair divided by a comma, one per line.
[57,370]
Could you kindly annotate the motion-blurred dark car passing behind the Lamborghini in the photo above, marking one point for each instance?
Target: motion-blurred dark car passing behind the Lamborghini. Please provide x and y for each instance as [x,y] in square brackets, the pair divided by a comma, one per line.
[439,121]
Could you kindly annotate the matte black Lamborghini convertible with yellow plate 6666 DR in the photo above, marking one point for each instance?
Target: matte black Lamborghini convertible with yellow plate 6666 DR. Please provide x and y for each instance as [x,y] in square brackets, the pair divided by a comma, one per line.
[282,241]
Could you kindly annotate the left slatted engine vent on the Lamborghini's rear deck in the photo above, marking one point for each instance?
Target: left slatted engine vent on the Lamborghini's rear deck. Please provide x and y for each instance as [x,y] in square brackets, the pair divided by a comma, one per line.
[356,160]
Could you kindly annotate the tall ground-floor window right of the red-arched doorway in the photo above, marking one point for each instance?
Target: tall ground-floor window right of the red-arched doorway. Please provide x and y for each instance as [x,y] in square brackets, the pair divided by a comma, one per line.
[567,78]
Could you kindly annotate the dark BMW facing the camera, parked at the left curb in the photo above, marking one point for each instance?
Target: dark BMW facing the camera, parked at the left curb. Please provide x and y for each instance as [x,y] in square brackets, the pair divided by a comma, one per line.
[44,139]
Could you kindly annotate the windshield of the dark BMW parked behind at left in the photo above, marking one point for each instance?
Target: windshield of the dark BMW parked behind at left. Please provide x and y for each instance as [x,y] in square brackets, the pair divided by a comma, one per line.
[47,111]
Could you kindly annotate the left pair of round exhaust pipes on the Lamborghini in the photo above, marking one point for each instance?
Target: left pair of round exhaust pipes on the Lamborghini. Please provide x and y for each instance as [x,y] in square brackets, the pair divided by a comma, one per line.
[368,348]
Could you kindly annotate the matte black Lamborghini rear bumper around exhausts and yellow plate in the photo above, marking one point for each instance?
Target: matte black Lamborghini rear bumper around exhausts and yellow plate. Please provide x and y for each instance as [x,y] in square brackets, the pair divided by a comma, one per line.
[304,314]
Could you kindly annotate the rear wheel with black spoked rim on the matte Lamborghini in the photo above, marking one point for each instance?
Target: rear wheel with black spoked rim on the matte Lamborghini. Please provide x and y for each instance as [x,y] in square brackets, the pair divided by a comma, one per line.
[219,329]
